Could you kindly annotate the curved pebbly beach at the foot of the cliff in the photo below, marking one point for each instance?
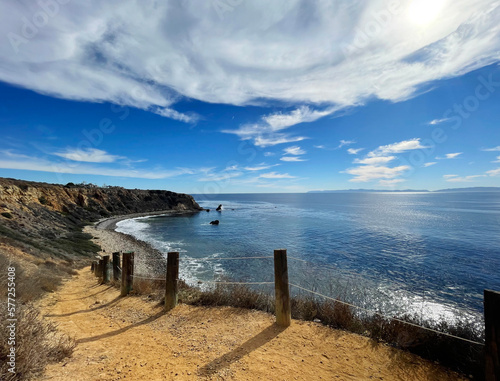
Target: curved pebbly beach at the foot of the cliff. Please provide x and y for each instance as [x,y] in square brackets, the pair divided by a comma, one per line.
[149,260]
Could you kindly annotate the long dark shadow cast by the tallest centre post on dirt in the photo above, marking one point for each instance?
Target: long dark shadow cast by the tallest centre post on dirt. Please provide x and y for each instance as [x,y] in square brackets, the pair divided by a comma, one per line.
[247,347]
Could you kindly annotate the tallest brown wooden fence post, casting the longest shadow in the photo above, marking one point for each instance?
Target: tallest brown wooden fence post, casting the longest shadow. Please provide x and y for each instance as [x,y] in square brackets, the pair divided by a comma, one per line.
[281,289]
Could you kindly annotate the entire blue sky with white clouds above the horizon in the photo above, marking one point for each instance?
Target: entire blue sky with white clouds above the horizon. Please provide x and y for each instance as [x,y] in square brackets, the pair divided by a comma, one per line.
[238,96]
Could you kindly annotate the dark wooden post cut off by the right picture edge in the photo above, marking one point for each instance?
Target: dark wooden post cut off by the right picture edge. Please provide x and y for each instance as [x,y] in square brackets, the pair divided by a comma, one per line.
[492,338]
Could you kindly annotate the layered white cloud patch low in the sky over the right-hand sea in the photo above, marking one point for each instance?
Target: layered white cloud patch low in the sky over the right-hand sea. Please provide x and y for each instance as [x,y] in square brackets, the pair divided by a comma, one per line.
[375,165]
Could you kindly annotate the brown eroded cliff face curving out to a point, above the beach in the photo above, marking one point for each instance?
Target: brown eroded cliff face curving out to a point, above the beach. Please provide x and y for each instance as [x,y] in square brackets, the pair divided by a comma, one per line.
[46,219]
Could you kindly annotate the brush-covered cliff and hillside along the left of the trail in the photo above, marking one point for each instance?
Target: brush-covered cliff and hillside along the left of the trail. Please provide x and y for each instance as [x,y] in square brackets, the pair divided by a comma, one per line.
[41,237]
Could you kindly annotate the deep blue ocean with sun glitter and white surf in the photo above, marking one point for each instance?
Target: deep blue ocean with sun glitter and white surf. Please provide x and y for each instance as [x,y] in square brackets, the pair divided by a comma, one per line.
[430,255]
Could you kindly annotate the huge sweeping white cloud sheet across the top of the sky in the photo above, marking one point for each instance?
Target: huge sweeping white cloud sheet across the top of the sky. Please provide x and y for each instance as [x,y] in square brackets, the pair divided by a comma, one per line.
[246,56]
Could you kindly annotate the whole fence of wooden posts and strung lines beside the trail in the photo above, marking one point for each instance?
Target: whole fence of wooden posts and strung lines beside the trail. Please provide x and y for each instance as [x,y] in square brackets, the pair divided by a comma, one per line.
[282,293]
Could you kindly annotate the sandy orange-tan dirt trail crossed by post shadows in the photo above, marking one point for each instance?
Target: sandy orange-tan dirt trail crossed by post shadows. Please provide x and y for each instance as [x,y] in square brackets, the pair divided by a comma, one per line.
[132,339]
